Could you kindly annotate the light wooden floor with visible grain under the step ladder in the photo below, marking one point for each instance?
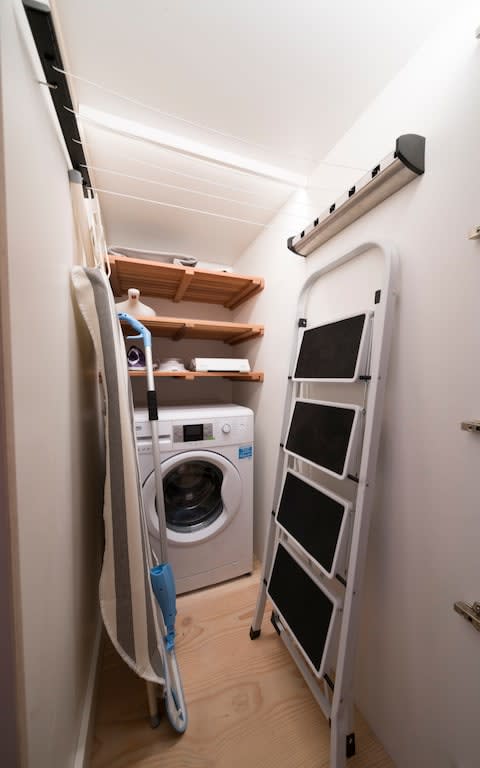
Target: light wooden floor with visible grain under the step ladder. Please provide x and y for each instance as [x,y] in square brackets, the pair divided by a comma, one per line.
[247,703]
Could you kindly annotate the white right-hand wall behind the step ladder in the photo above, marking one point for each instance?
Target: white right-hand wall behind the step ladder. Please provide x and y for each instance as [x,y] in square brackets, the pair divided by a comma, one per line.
[418,672]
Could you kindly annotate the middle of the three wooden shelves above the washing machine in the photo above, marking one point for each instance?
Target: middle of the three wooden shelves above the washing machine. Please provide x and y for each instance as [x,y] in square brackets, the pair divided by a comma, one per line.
[178,328]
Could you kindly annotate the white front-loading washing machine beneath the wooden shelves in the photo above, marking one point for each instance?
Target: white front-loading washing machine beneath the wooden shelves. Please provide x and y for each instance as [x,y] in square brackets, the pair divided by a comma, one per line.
[207,471]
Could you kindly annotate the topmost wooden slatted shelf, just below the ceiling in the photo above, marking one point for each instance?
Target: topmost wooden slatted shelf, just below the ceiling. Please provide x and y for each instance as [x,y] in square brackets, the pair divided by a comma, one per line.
[172,281]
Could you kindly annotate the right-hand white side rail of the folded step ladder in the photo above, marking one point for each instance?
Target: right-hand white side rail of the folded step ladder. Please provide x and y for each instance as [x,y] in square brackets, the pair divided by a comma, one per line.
[342,703]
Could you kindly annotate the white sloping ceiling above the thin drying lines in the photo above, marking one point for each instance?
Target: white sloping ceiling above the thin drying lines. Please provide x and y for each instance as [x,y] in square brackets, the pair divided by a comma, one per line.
[276,81]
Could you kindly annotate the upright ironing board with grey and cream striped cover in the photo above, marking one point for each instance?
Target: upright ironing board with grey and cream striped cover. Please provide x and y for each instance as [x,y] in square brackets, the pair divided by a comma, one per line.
[128,607]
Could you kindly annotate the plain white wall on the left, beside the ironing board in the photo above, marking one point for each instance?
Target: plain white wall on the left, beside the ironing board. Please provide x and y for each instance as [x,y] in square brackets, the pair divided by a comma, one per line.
[53,380]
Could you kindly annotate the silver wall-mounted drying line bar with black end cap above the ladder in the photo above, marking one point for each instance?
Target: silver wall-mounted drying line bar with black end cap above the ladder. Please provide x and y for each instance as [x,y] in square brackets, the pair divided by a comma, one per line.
[402,165]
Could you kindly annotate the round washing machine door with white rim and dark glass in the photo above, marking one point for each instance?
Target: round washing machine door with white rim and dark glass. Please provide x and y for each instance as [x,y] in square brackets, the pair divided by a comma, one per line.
[203,492]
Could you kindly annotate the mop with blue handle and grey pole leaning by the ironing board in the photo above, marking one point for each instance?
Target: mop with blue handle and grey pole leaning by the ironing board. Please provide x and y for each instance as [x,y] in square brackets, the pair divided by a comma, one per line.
[161,574]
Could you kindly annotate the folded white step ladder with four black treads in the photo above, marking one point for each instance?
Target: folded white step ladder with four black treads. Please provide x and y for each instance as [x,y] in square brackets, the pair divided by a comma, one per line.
[316,544]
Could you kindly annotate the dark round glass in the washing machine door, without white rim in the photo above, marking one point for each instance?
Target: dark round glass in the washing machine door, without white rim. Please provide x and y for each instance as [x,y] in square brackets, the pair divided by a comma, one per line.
[193,495]
